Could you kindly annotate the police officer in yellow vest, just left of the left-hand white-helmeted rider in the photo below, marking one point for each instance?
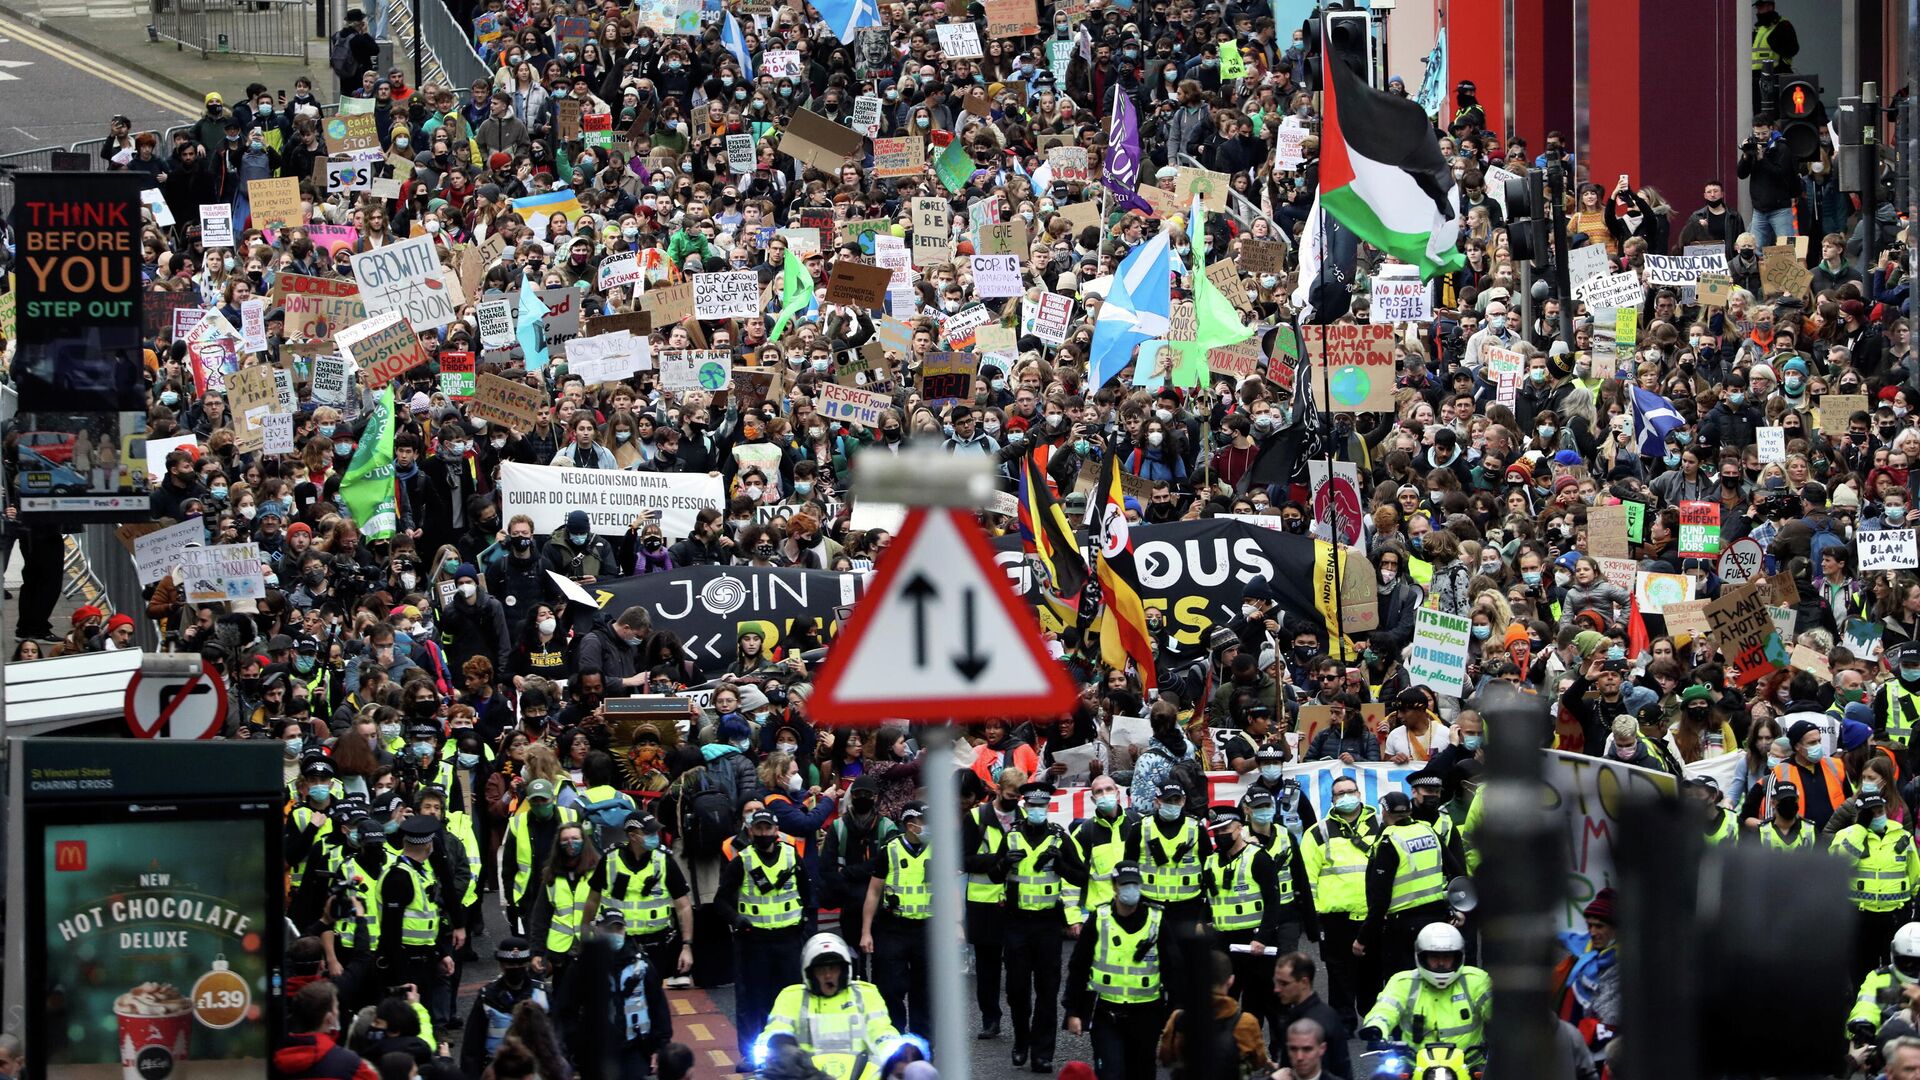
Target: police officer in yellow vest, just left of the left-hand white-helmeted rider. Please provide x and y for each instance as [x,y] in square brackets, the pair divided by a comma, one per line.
[769,900]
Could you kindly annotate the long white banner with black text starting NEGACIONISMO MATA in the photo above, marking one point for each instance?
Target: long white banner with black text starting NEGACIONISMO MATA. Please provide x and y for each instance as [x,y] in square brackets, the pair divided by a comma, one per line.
[612,499]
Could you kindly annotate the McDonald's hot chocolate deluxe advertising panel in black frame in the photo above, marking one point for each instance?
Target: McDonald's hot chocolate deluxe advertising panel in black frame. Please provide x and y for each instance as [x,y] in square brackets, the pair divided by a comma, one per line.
[153,912]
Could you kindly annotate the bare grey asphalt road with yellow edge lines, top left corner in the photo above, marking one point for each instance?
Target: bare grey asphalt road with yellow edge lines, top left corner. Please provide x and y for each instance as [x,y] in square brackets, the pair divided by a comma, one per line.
[59,95]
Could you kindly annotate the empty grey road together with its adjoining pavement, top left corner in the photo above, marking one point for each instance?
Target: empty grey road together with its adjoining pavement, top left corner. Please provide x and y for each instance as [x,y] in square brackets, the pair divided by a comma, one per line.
[66,68]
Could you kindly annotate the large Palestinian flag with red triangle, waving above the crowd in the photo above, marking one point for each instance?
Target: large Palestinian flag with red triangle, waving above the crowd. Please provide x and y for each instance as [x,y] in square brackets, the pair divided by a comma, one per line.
[1381,172]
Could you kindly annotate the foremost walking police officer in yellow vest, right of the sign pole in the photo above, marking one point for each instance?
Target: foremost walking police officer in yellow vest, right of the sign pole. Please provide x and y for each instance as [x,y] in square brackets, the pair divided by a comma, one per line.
[1115,981]
